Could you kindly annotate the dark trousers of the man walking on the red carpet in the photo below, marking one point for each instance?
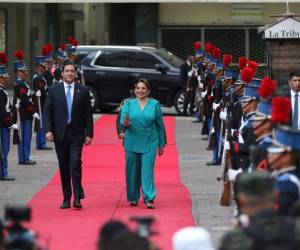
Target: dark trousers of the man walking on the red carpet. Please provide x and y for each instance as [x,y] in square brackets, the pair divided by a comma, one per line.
[69,152]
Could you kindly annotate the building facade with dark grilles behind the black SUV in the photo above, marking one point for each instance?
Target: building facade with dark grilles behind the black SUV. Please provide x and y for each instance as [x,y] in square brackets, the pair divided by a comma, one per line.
[174,26]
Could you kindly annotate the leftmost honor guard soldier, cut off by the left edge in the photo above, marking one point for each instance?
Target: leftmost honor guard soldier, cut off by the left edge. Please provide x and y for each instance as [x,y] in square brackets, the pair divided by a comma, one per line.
[6,121]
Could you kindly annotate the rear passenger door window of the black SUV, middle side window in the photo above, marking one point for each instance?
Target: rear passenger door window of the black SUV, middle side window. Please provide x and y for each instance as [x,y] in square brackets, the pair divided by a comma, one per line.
[112,59]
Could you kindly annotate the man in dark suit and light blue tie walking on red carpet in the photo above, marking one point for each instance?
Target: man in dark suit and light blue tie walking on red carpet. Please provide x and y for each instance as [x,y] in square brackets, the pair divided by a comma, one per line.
[69,123]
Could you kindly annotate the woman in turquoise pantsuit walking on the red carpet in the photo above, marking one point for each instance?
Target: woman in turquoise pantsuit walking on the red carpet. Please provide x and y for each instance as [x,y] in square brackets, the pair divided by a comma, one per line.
[144,136]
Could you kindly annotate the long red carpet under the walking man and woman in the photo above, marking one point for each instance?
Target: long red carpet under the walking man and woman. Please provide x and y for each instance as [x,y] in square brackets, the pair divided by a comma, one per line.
[104,184]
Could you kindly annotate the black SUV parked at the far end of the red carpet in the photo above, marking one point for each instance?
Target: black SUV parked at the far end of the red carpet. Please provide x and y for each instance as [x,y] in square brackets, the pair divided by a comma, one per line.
[109,72]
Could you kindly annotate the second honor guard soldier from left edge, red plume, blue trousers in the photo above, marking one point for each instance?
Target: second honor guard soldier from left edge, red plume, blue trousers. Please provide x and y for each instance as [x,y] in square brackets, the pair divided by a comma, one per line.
[24,109]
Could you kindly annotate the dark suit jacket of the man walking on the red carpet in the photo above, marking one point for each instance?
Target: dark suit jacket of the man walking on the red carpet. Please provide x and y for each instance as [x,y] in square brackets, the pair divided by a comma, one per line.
[56,112]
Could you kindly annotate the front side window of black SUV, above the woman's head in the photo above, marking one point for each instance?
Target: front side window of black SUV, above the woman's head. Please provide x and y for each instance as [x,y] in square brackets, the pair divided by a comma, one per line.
[142,60]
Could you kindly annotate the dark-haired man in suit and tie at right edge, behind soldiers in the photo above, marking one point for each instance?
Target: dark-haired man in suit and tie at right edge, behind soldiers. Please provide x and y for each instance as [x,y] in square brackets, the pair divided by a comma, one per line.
[294,82]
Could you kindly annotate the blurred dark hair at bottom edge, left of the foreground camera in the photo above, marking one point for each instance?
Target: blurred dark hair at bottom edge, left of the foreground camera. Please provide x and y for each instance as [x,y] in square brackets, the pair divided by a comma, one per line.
[109,232]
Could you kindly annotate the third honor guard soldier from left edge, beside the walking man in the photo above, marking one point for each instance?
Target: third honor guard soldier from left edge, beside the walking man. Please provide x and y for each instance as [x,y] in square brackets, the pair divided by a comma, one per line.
[40,87]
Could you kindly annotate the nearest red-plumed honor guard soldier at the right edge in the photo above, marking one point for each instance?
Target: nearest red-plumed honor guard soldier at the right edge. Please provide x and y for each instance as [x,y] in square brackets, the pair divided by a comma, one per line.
[283,156]
